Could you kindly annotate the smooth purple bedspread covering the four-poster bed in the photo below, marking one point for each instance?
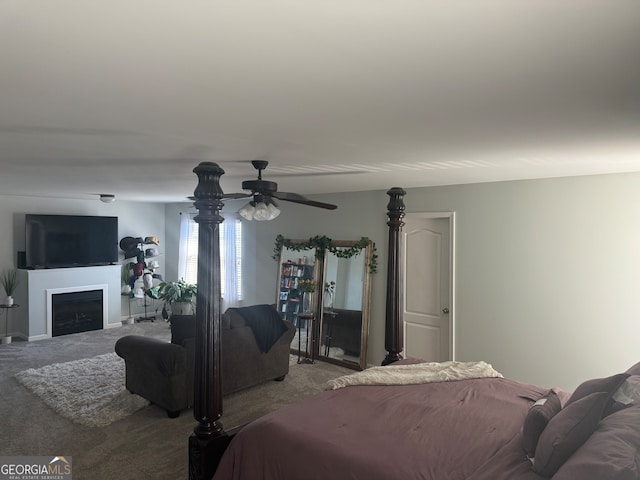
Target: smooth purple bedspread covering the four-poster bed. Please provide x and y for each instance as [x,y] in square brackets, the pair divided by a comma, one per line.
[467,429]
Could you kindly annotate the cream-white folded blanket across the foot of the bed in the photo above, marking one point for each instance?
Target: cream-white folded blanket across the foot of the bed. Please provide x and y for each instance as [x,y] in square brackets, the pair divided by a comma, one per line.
[414,374]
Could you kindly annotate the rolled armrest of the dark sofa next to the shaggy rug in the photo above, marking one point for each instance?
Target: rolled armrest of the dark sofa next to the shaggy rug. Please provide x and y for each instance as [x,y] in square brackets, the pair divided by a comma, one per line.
[153,353]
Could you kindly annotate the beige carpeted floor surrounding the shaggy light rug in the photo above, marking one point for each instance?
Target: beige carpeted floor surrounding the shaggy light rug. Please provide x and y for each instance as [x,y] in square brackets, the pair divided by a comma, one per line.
[144,445]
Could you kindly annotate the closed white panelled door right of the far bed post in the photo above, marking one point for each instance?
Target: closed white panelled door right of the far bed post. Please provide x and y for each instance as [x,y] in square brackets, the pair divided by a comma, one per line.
[427,269]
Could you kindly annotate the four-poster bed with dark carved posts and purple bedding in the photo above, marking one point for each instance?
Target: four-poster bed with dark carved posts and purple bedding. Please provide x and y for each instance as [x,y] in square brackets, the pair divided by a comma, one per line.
[419,421]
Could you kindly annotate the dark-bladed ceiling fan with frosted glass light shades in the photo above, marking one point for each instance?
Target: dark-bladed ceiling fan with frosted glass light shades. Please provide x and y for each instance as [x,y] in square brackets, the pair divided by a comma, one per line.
[263,206]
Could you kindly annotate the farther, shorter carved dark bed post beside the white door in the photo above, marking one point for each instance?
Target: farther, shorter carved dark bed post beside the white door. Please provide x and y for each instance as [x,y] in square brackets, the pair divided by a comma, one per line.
[393,327]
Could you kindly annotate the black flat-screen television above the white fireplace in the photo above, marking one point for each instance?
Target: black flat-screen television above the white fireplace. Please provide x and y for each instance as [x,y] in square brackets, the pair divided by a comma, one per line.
[58,241]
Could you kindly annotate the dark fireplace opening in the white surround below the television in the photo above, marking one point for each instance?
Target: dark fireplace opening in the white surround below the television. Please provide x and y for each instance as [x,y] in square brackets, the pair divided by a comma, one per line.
[76,312]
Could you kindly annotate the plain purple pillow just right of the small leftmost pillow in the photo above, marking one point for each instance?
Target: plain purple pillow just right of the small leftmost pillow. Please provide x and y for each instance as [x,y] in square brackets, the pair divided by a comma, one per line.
[567,431]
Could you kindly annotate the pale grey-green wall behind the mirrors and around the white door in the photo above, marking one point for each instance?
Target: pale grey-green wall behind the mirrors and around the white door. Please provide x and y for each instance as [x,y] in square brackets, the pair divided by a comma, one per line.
[547,274]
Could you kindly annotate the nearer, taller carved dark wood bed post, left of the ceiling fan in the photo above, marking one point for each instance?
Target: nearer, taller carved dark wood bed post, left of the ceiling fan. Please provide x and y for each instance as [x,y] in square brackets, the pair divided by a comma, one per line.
[207,400]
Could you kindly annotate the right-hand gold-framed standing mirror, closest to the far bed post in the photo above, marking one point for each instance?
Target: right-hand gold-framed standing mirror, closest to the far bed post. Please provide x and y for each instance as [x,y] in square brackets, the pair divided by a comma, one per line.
[344,317]
